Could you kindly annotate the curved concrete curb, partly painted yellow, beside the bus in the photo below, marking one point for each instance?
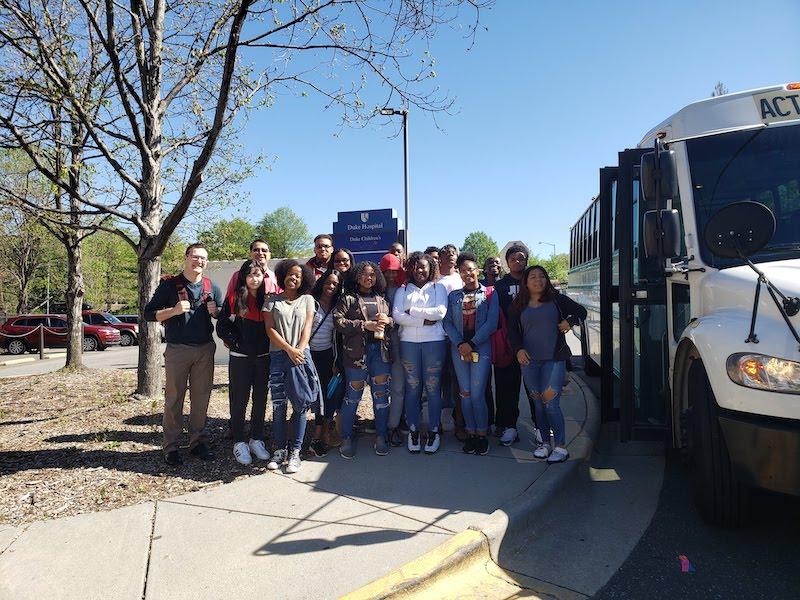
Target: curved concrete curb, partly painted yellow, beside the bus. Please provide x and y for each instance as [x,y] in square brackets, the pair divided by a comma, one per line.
[483,541]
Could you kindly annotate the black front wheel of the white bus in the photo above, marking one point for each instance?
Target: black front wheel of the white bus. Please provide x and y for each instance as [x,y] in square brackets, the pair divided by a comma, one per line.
[720,498]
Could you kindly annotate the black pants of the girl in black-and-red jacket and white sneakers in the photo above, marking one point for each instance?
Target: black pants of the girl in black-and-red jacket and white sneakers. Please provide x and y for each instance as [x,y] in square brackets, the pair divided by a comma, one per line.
[246,373]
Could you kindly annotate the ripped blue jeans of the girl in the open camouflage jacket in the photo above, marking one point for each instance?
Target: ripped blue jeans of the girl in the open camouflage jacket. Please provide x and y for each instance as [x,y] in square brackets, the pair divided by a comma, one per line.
[356,378]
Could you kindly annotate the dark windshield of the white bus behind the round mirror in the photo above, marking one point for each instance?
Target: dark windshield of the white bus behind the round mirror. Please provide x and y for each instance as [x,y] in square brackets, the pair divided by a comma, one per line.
[761,165]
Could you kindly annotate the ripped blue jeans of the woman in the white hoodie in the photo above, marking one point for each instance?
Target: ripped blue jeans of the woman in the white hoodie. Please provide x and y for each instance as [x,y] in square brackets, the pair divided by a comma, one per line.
[423,358]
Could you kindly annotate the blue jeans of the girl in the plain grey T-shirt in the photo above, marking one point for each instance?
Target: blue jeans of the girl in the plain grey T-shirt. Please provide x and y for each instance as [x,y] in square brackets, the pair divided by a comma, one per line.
[281,368]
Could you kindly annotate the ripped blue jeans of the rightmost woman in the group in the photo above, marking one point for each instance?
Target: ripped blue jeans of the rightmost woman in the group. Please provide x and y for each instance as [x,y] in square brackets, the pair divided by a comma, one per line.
[547,377]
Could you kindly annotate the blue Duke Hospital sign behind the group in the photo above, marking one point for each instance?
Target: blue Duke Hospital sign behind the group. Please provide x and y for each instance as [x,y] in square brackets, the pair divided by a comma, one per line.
[366,233]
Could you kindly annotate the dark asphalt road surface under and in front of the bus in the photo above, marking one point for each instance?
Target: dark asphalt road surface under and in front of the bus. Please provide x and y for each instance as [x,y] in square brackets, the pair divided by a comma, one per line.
[761,560]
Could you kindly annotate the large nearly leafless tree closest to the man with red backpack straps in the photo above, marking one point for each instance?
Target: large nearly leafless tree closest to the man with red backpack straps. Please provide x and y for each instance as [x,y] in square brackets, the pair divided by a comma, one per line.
[178,80]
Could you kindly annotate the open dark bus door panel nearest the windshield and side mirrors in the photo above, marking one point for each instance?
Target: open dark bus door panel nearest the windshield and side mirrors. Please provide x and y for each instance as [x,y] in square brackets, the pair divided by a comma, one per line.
[643,339]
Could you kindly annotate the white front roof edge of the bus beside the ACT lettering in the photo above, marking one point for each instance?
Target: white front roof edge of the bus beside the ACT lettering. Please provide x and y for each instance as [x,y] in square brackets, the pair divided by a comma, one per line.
[714,115]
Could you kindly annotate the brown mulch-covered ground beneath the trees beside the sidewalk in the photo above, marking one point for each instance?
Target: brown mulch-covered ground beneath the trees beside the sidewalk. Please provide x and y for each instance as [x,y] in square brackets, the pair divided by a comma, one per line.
[73,443]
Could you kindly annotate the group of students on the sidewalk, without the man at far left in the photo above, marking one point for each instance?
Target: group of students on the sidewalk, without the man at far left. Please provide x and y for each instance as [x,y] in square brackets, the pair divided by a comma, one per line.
[425,327]
